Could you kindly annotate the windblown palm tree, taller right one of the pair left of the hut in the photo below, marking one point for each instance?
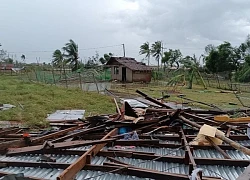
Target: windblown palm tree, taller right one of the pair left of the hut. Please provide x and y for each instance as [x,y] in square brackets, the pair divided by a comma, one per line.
[71,49]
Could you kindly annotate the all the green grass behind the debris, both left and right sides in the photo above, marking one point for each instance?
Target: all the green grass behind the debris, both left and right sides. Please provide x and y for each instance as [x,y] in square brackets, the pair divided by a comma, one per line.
[39,99]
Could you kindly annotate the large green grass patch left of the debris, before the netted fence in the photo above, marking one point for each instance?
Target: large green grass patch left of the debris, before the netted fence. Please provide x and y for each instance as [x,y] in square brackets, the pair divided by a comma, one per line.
[38,100]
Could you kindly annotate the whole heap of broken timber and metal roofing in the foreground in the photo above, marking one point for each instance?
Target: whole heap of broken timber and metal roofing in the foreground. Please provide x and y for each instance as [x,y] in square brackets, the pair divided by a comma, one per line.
[146,139]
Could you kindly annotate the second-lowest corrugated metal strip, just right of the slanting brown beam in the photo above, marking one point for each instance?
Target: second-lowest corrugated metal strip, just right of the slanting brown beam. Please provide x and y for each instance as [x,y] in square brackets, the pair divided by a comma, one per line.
[154,165]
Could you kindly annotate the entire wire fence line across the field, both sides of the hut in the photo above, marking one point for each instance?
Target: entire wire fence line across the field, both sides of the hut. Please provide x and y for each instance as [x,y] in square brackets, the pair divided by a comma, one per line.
[97,79]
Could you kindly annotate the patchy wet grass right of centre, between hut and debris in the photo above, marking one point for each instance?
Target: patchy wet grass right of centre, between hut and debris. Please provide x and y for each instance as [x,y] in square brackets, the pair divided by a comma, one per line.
[210,95]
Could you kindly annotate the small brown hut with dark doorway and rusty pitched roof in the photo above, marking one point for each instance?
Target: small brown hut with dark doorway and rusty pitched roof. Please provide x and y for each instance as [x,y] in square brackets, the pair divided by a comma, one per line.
[126,69]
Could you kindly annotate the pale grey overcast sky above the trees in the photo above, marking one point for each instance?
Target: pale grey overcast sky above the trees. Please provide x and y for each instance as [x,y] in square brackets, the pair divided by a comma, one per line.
[189,25]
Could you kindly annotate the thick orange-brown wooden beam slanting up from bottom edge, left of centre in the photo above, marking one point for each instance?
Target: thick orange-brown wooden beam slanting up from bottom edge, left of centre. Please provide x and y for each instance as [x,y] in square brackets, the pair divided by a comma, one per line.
[74,168]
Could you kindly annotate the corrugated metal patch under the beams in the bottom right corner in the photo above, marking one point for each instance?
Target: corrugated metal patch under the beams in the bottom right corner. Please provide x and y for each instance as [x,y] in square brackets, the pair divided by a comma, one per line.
[225,172]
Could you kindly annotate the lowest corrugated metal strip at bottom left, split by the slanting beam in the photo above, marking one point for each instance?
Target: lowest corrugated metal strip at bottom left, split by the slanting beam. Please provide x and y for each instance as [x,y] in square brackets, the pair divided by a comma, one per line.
[53,173]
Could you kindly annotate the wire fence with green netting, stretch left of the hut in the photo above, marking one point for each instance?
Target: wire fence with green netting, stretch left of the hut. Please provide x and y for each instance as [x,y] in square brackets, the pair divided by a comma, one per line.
[85,79]
